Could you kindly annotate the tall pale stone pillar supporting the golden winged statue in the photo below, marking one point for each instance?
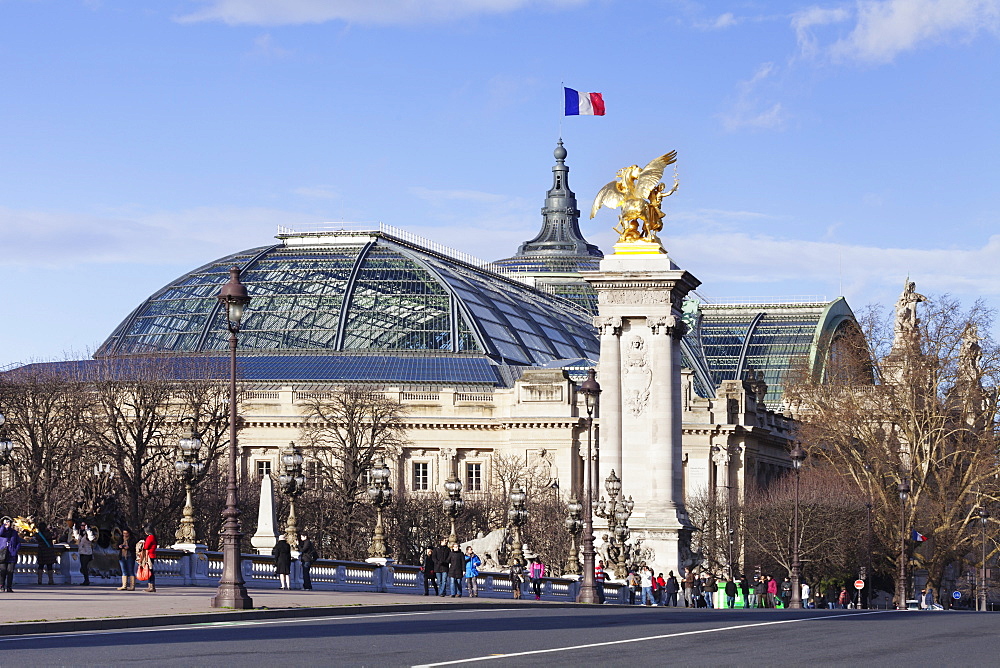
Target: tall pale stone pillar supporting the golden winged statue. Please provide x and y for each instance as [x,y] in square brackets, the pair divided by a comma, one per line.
[640,300]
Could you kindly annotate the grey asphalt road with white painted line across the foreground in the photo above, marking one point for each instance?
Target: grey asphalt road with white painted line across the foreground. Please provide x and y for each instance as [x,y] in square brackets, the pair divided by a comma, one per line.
[542,636]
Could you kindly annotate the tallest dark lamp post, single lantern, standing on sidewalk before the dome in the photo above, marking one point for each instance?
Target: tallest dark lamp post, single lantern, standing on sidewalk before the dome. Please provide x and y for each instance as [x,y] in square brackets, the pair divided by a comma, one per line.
[232,592]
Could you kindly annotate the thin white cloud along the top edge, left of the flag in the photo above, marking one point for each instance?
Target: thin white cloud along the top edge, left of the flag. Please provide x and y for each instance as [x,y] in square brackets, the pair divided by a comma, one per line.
[384,12]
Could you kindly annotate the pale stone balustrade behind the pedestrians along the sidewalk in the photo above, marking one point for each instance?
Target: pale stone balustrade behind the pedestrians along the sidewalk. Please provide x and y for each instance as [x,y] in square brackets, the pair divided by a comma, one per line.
[202,568]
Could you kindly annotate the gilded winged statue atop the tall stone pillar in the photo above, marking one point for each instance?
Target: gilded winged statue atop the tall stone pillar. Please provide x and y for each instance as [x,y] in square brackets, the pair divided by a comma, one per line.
[640,194]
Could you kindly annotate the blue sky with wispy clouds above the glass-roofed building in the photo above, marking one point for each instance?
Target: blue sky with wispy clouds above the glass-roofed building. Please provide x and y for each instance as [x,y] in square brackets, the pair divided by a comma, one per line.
[824,148]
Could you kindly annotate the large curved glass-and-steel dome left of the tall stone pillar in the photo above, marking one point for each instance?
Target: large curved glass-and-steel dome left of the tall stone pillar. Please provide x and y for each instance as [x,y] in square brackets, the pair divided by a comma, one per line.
[349,291]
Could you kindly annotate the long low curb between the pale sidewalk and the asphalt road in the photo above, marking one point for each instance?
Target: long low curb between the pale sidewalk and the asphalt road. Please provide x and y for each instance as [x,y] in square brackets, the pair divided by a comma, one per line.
[186,619]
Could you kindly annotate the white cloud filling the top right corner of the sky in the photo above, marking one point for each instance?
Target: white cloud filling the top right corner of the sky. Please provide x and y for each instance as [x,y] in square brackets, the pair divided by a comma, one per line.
[883,29]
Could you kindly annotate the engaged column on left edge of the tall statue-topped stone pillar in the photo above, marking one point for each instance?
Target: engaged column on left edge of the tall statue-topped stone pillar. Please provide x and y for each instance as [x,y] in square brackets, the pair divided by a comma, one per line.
[610,328]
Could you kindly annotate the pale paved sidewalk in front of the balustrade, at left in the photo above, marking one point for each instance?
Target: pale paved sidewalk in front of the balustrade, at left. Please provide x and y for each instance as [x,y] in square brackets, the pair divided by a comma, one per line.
[67,608]
